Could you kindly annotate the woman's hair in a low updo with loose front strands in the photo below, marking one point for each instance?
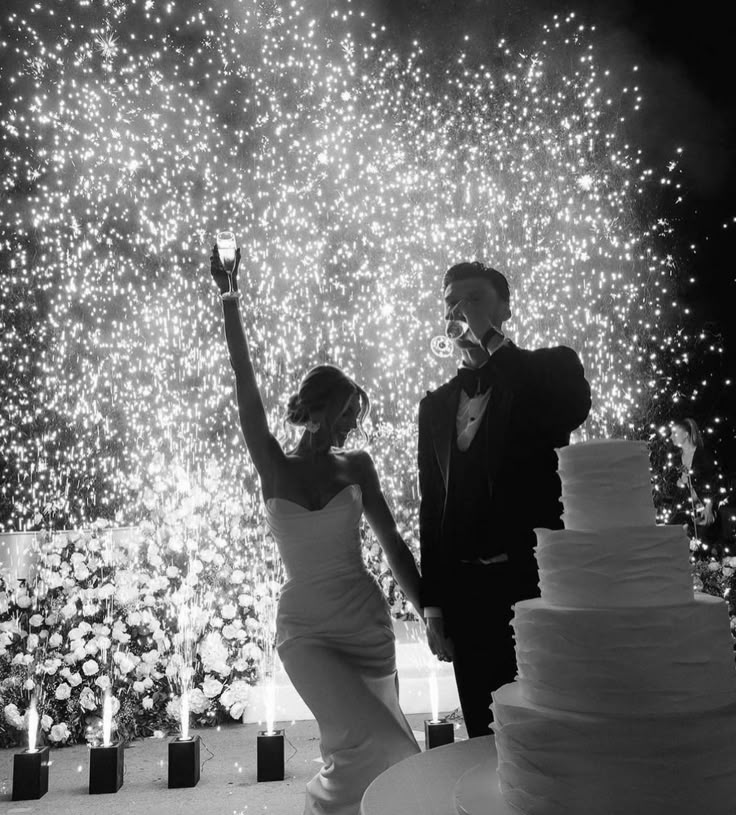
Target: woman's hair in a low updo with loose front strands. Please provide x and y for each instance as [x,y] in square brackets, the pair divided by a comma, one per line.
[322,386]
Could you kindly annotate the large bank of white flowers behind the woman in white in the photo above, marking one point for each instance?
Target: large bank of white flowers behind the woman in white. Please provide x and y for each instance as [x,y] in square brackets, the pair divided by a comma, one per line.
[185,601]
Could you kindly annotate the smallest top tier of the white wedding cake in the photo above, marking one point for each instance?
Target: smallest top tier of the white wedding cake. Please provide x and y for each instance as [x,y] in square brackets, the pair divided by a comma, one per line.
[606,484]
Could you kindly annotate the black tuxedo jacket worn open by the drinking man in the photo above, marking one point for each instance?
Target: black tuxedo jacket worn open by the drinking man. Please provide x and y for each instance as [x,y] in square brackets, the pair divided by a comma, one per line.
[538,398]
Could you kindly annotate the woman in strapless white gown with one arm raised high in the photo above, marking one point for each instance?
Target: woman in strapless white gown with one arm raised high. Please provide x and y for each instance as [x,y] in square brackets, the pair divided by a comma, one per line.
[334,631]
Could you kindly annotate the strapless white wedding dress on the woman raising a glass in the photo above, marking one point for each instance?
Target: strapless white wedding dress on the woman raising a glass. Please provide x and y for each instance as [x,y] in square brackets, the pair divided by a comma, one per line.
[336,642]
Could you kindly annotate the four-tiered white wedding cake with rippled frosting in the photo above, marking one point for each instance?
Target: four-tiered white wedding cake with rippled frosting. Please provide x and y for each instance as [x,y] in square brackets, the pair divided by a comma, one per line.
[625,702]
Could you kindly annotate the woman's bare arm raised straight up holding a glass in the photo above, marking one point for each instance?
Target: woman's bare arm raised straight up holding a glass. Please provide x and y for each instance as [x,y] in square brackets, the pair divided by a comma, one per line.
[263,447]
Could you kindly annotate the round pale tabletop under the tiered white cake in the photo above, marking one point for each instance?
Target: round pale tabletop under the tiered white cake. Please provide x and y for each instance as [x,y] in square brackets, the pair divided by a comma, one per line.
[458,778]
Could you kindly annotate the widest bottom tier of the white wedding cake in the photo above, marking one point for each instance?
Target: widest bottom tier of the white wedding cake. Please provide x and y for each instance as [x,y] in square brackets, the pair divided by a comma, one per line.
[554,762]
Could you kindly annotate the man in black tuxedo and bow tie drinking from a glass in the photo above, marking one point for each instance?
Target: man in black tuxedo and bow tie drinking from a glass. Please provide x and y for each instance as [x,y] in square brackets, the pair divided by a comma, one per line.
[488,477]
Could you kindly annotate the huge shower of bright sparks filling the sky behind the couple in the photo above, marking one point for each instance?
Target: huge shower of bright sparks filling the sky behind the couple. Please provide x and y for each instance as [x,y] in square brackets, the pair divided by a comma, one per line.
[135,130]
